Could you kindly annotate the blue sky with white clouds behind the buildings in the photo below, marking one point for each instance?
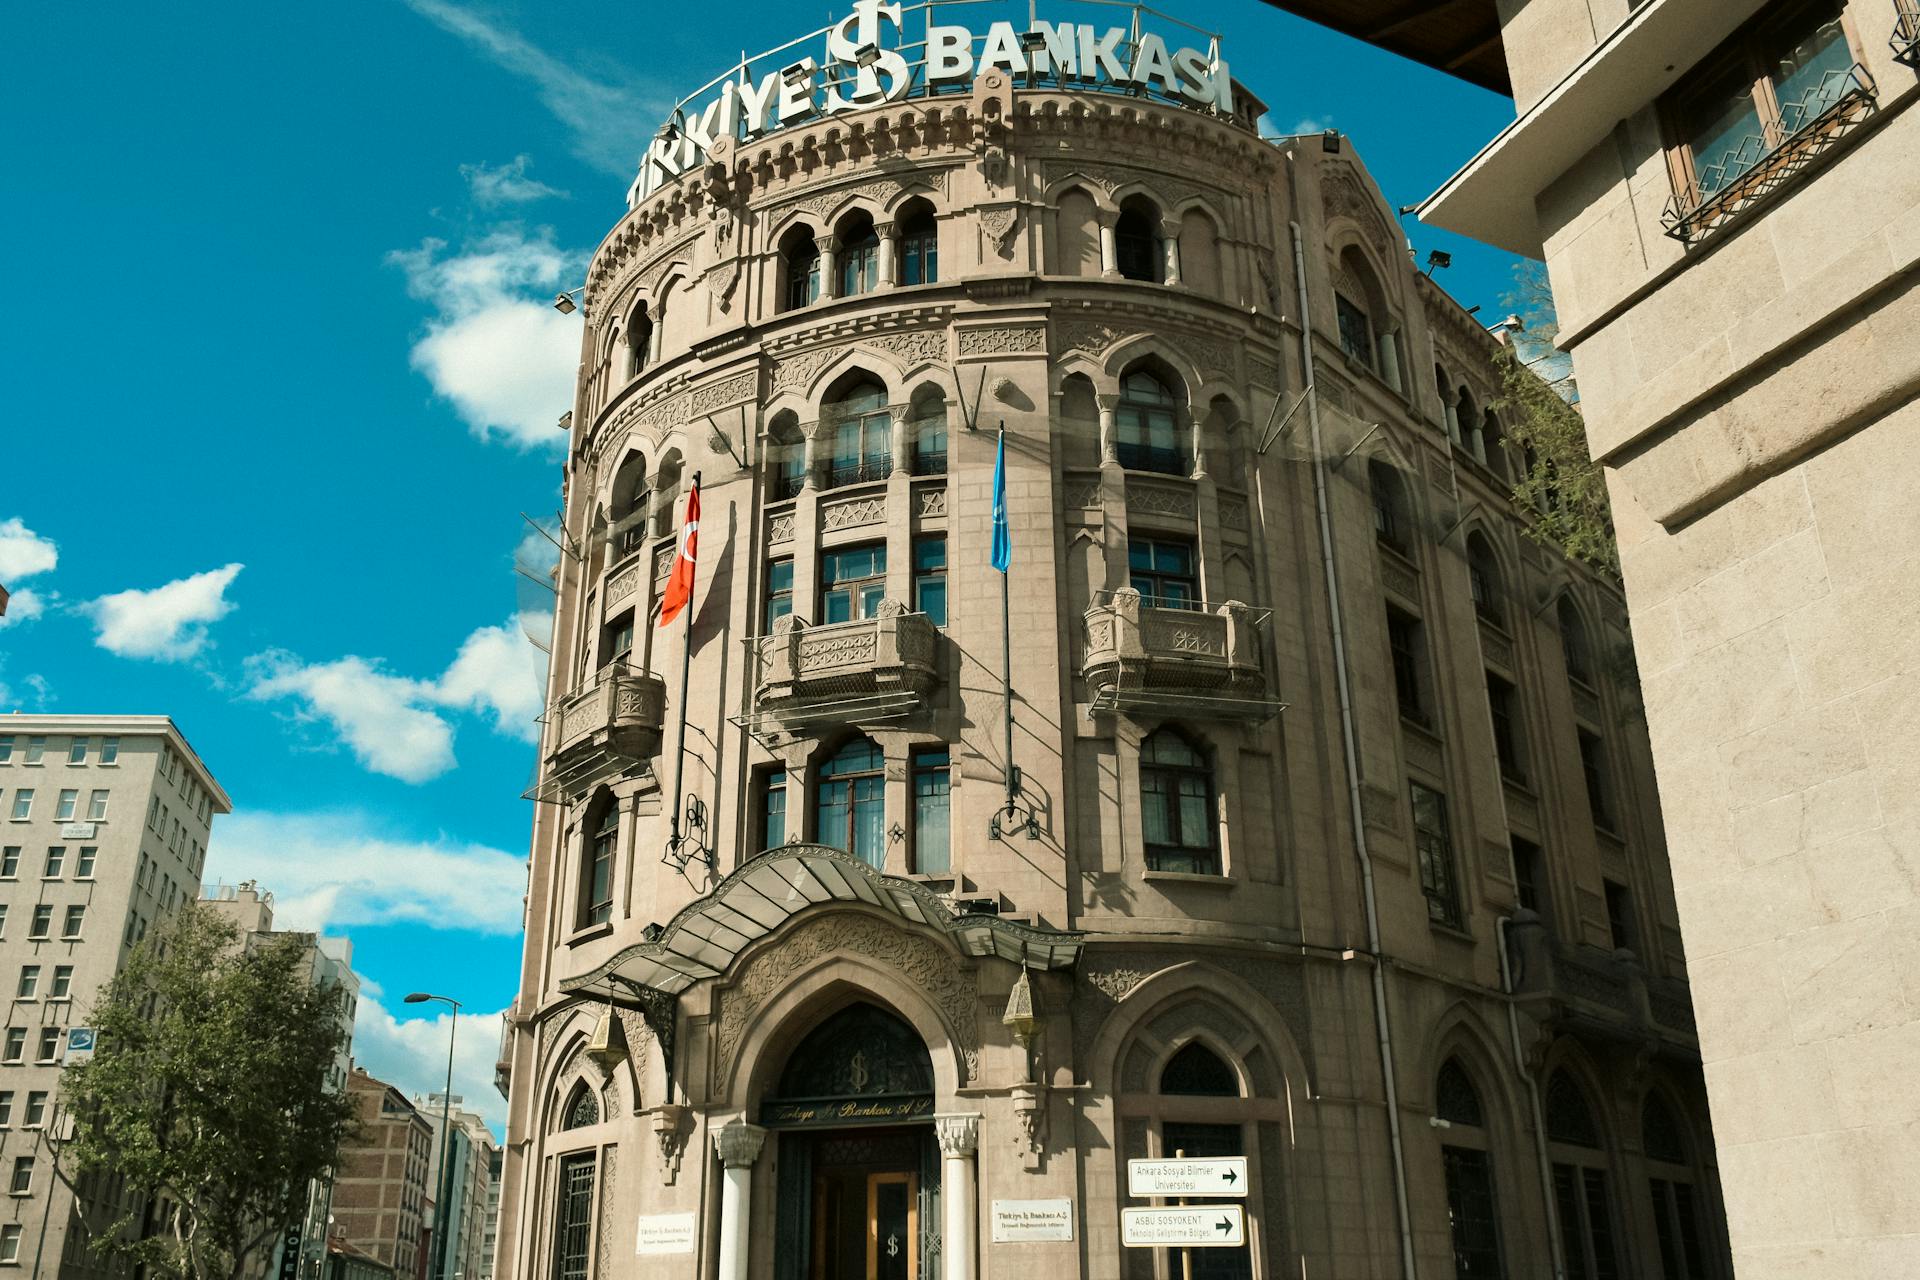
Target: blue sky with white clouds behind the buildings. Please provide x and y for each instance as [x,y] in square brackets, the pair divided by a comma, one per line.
[283,379]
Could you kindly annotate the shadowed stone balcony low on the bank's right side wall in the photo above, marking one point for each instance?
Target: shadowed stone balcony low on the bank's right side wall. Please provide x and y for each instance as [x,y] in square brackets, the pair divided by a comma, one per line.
[1606,993]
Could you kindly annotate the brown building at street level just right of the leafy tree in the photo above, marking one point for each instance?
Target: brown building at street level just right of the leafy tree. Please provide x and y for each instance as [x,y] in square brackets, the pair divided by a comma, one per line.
[383,1197]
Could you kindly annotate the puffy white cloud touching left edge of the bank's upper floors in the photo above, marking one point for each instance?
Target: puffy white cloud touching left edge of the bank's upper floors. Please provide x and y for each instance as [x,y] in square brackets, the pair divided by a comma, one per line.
[496,346]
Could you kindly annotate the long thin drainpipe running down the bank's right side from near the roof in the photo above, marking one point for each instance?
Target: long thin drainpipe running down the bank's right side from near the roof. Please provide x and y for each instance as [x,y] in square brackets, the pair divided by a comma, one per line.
[1381,1020]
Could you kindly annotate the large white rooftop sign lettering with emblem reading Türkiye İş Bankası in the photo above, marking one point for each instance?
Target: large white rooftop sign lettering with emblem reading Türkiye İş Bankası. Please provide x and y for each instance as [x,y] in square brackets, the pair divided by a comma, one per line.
[865,66]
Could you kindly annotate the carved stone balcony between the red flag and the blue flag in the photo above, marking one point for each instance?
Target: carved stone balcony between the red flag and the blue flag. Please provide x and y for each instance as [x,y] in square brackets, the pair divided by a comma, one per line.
[842,673]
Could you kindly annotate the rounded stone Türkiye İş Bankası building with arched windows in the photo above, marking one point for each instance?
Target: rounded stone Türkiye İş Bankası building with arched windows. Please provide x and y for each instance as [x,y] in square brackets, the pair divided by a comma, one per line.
[1314,757]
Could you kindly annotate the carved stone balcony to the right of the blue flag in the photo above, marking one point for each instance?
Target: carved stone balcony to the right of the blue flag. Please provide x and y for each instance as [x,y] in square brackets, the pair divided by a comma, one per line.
[1203,659]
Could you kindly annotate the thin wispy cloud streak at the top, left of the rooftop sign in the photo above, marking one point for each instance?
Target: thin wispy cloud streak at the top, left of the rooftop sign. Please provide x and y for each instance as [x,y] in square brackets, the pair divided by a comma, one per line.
[610,124]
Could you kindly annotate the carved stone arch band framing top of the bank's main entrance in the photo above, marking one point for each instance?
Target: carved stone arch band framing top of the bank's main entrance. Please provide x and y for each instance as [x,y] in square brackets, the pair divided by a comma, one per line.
[913,959]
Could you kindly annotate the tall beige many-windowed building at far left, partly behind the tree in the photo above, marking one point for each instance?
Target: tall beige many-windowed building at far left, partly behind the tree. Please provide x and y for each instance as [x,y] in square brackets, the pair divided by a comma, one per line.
[105,826]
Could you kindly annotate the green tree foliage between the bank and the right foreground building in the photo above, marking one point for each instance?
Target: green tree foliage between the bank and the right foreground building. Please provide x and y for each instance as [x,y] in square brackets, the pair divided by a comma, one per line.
[1560,485]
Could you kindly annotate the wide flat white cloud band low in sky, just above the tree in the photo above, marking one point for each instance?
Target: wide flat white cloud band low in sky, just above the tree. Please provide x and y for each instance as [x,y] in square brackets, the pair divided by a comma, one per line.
[331,872]
